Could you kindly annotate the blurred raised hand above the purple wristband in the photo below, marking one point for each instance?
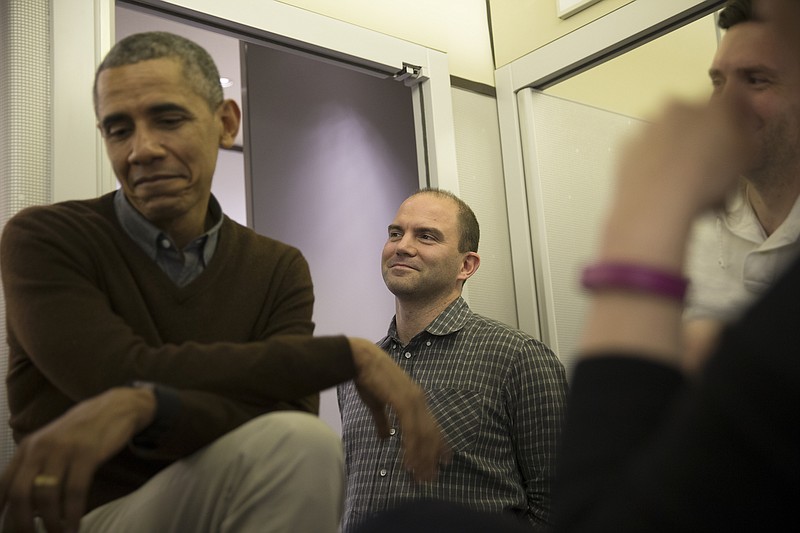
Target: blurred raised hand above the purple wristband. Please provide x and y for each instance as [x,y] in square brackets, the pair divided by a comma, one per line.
[688,160]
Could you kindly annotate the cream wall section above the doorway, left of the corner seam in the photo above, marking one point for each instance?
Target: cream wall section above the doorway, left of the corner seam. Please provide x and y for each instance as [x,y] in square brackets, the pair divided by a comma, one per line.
[458,27]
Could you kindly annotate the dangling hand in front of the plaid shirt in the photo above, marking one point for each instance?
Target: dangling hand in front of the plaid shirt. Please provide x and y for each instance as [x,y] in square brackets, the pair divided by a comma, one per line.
[381,383]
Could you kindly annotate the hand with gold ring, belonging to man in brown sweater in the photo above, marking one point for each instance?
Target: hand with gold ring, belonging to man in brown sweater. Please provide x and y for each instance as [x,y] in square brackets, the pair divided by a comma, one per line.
[52,471]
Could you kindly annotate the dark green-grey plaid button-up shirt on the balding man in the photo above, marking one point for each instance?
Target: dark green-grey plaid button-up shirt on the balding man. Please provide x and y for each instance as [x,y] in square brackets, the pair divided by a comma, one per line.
[498,395]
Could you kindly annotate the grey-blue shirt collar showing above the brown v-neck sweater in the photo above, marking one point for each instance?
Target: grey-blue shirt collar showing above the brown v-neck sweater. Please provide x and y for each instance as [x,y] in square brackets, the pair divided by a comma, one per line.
[148,236]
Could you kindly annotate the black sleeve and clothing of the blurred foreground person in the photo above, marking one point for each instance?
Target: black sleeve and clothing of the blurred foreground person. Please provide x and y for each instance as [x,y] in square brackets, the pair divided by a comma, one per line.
[645,451]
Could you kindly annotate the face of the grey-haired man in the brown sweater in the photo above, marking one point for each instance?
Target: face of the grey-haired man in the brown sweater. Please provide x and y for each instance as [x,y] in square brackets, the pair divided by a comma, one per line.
[162,138]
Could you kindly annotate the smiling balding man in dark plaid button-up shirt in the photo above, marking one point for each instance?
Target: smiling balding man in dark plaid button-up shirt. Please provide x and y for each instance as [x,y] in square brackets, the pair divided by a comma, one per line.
[497,393]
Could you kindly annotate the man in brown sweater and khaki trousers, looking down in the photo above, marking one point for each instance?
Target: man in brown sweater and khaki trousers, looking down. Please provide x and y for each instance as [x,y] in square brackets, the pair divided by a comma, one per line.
[152,339]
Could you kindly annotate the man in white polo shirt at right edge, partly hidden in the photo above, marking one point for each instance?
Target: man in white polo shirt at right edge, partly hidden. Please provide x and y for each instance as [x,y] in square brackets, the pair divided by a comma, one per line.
[738,252]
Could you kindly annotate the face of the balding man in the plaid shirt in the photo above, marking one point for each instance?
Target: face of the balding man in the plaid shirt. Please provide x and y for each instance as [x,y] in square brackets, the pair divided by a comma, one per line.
[420,259]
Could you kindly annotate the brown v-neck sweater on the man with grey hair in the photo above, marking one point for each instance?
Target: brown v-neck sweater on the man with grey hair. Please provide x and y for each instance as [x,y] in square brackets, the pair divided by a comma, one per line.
[87,311]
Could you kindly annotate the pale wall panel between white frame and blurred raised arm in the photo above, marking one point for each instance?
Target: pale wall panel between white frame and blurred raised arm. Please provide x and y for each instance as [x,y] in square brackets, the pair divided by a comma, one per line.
[570,151]
